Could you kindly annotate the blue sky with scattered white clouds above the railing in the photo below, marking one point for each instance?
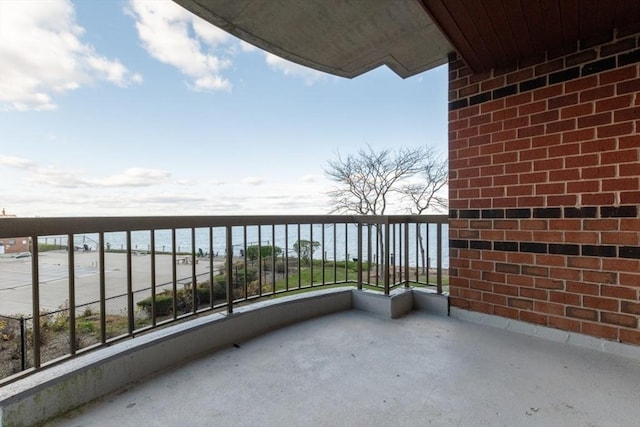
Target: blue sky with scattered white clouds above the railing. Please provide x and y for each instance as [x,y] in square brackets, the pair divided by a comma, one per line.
[119,107]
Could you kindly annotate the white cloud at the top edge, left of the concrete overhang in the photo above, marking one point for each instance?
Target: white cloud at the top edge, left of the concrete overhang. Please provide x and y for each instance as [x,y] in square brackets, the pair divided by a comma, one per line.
[176,37]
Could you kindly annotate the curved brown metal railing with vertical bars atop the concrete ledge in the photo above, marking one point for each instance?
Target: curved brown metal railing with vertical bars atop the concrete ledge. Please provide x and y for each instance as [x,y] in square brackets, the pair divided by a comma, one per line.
[89,281]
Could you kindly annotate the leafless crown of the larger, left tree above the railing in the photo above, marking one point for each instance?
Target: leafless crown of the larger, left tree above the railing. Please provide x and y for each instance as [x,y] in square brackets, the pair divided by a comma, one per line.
[365,180]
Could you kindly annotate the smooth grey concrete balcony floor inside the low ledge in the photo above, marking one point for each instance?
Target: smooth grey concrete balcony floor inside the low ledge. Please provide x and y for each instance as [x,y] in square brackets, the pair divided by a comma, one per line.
[356,369]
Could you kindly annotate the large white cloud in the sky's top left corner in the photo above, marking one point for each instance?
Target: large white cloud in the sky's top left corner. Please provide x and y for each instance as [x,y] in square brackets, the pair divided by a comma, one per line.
[43,55]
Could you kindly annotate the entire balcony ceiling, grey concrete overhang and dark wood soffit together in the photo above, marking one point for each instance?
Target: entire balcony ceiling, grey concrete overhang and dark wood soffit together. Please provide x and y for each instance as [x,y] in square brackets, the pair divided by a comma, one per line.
[350,37]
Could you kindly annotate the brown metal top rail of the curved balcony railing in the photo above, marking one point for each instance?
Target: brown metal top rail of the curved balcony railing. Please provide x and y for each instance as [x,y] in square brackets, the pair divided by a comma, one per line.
[12,227]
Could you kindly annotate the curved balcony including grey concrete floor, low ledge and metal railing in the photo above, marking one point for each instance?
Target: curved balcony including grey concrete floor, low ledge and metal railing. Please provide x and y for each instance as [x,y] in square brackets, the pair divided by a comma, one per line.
[148,294]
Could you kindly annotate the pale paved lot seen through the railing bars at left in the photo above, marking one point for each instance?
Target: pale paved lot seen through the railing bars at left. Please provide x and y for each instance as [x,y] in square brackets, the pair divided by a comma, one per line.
[16,289]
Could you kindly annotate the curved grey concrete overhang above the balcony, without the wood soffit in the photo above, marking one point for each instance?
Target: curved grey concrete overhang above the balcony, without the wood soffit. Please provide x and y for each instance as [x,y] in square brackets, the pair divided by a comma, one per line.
[341,37]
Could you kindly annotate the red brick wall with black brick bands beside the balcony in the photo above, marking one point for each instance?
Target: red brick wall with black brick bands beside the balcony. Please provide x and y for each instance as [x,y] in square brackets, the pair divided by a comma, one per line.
[545,190]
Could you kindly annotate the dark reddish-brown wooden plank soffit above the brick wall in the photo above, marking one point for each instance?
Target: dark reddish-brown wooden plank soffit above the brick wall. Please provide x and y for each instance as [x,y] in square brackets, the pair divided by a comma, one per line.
[502,33]
